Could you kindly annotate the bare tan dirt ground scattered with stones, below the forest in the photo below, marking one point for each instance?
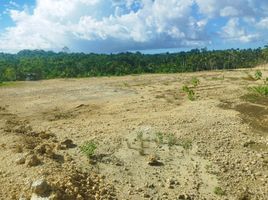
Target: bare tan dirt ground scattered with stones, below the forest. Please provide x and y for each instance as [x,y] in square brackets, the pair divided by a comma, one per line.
[152,141]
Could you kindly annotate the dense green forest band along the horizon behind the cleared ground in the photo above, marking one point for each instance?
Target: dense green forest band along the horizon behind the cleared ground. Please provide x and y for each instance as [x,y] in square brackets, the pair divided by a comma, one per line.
[41,64]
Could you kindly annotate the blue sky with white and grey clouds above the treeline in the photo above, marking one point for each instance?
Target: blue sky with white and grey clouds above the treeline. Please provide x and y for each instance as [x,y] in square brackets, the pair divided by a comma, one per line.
[108,26]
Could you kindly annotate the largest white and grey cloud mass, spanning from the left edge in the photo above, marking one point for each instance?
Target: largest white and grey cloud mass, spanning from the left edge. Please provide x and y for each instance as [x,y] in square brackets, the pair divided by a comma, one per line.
[54,24]
